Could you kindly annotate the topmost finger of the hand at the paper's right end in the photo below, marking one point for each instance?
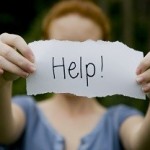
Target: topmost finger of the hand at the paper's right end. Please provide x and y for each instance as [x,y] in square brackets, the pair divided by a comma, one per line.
[144,65]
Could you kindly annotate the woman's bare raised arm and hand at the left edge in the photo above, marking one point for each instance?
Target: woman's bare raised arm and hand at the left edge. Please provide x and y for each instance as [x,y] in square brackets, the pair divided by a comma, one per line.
[16,60]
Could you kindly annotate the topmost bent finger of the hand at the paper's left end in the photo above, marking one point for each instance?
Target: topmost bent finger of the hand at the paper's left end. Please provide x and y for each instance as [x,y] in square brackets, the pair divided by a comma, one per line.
[19,43]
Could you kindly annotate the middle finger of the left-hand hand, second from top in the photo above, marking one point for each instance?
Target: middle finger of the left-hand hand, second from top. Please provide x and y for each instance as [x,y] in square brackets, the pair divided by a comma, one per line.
[13,56]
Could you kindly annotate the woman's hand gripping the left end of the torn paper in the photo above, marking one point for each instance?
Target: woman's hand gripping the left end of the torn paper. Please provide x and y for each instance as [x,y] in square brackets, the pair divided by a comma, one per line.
[16,58]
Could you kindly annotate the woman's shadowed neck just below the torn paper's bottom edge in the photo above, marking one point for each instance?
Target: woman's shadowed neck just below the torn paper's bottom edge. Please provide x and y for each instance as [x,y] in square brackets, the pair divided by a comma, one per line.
[75,105]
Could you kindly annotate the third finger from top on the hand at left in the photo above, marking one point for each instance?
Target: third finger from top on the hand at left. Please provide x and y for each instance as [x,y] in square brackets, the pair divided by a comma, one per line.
[8,66]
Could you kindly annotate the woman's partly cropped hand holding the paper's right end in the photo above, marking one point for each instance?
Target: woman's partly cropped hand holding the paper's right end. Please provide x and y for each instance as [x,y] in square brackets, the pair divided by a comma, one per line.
[143,74]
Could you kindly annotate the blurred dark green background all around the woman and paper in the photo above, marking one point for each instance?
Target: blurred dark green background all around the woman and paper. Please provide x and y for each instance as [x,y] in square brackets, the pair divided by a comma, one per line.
[130,24]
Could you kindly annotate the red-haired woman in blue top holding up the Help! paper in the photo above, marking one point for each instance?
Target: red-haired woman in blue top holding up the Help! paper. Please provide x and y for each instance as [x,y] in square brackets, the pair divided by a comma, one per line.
[66,121]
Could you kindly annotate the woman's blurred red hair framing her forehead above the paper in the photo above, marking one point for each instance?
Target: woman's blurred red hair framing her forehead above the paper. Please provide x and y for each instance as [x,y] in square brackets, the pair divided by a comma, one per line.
[84,8]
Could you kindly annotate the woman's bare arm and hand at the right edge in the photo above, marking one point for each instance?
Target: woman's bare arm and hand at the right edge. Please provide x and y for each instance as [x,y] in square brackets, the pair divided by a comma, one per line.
[135,131]
